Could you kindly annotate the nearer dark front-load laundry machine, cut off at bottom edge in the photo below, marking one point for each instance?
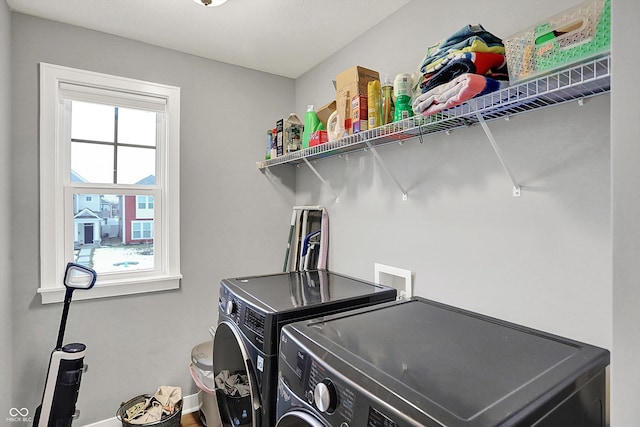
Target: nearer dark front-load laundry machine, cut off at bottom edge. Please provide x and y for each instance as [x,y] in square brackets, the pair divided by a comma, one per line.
[416,362]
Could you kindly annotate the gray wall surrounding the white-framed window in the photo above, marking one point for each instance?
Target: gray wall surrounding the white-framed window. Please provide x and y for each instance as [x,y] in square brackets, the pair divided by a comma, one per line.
[234,220]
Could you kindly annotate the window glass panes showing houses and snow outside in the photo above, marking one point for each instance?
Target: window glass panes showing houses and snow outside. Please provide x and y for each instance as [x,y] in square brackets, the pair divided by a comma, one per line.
[113,146]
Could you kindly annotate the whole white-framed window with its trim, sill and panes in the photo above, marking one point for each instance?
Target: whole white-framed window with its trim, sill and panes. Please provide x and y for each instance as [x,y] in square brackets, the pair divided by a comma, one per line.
[109,182]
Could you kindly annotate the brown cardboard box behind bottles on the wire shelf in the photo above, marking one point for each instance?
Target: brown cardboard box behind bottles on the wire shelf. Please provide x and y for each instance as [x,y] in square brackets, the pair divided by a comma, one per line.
[349,84]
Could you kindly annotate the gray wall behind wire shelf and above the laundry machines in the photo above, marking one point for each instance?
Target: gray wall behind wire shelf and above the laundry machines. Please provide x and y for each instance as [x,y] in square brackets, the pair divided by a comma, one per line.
[542,259]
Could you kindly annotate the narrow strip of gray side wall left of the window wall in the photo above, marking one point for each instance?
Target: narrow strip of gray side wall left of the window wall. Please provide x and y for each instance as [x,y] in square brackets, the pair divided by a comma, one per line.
[6,368]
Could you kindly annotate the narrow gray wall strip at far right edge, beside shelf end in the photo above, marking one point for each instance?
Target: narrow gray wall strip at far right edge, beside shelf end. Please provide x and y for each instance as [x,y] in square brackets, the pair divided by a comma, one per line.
[625,153]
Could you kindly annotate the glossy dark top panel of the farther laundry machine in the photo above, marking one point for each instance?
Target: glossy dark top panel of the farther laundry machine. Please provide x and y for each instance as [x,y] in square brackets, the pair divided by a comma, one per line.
[302,290]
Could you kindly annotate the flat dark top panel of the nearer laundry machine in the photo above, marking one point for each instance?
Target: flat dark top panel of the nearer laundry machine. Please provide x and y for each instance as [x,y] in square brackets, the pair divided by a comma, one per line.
[449,365]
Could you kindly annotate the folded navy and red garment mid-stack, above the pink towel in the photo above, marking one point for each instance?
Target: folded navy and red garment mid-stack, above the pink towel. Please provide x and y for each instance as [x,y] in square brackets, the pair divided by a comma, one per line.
[462,63]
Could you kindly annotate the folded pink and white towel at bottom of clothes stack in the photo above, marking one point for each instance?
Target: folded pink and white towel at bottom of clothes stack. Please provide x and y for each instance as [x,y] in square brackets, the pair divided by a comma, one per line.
[455,92]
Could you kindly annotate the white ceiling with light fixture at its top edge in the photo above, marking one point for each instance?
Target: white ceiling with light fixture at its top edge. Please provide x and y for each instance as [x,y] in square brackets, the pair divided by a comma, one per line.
[283,37]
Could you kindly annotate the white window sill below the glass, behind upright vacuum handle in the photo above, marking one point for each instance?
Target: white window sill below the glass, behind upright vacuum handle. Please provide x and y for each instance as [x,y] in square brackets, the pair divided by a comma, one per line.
[106,289]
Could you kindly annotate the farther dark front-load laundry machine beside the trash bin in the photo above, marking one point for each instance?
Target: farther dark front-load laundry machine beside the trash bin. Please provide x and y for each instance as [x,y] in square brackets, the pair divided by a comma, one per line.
[251,314]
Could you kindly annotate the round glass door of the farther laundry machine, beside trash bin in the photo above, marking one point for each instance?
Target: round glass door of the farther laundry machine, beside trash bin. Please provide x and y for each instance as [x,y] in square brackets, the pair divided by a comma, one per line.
[230,354]
